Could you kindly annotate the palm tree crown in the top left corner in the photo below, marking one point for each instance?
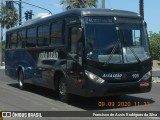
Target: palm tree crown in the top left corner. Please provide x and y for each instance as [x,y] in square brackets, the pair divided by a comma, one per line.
[8,17]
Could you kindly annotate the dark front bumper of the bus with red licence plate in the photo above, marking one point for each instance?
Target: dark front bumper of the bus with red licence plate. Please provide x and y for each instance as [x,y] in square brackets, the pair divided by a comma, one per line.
[113,89]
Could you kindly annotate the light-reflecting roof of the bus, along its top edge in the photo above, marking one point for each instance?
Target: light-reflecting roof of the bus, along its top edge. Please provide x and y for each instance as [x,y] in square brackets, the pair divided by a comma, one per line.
[81,12]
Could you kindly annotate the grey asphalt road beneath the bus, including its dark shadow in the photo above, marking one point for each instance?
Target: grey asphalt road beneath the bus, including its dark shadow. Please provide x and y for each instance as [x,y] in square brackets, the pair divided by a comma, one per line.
[41,99]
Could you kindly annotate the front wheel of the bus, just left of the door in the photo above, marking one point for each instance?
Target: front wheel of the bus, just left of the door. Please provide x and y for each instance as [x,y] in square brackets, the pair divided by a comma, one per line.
[62,90]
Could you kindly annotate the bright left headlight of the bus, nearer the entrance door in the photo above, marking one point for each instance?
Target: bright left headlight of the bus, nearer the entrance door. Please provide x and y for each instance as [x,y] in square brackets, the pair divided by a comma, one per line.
[94,77]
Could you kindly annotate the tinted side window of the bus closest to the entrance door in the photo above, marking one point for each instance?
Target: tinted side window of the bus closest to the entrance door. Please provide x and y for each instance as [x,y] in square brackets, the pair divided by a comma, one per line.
[56,34]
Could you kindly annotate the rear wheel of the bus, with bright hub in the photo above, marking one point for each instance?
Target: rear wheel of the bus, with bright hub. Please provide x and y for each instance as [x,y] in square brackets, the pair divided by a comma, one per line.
[21,80]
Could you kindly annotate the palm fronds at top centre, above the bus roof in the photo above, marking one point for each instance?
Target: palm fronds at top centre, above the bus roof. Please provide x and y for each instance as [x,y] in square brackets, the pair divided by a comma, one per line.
[70,4]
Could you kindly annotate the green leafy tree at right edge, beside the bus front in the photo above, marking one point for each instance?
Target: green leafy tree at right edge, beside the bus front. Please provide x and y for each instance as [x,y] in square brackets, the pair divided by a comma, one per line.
[155,45]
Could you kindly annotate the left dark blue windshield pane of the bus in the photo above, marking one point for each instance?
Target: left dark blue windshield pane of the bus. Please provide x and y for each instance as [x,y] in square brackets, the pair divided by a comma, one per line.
[100,38]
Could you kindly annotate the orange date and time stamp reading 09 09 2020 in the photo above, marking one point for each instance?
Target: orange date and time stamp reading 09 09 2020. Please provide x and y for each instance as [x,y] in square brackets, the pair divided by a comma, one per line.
[122,104]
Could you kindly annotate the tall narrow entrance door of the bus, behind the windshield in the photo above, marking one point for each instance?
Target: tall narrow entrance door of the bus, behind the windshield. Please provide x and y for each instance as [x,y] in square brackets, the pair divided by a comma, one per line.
[74,59]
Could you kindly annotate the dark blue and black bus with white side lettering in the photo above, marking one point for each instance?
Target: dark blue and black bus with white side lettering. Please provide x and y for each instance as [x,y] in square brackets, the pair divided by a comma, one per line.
[85,52]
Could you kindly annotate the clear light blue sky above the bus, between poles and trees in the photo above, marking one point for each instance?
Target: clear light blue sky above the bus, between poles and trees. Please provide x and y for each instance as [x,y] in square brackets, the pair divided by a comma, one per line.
[151,9]
